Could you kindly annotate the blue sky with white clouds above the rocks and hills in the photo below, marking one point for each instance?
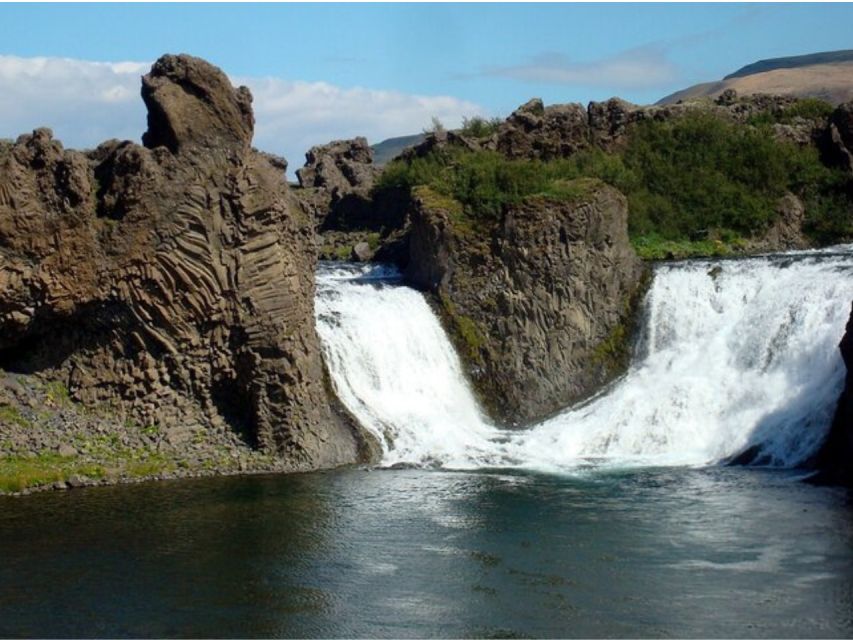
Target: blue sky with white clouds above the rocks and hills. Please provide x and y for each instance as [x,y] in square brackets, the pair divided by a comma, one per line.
[320,72]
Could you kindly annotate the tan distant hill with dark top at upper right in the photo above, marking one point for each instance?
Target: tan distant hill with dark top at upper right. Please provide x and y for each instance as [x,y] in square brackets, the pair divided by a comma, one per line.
[827,75]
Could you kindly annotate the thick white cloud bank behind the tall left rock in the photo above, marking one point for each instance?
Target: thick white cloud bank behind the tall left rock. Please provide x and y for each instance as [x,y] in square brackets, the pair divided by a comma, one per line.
[88,102]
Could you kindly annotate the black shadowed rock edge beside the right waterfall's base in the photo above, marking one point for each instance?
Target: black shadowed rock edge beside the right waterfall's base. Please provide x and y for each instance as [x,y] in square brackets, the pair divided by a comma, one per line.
[835,459]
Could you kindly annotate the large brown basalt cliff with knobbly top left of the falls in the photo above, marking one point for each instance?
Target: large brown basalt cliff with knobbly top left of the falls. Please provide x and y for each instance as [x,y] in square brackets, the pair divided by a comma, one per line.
[173,281]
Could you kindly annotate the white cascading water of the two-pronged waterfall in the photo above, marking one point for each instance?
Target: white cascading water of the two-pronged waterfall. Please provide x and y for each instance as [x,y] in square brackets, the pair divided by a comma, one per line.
[732,355]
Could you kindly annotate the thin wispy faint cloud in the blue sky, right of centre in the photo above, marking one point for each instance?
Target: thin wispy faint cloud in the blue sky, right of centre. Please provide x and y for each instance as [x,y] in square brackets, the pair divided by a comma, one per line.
[644,68]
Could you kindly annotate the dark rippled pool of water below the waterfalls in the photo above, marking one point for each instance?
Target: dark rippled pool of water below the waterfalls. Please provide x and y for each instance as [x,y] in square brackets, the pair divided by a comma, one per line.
[711,553]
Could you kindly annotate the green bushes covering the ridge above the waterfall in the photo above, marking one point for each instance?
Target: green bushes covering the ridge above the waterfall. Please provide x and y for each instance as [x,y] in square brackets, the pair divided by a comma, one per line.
[699,184]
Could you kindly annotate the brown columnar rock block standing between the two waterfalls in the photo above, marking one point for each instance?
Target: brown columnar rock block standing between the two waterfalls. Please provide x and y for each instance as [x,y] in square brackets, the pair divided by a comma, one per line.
[540,303]
